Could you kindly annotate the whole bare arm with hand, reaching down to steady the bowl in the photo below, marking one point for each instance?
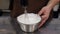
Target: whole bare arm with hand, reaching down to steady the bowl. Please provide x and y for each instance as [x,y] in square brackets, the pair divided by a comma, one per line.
[46,11]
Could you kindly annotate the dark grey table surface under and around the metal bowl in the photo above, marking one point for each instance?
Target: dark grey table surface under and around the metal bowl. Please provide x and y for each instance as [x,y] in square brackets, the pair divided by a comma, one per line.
[10,26]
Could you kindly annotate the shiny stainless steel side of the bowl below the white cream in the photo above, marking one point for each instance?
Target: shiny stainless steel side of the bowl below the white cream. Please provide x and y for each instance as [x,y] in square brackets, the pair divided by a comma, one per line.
[29,28]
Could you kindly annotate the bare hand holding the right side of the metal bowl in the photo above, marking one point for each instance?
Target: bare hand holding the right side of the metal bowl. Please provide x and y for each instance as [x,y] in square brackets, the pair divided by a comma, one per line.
[44,13]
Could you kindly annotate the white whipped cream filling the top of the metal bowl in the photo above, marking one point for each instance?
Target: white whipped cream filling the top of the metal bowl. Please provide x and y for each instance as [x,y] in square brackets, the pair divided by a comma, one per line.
[30,18]
